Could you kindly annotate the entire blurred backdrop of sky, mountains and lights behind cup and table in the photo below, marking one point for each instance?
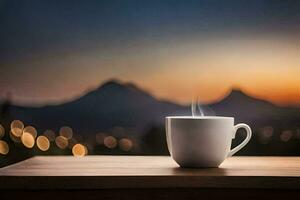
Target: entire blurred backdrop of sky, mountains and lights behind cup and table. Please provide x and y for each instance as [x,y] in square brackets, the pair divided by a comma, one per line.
[98,77]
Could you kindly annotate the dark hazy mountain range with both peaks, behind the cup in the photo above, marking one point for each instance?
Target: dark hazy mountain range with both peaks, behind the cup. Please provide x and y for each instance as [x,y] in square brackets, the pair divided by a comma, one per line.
[115,103]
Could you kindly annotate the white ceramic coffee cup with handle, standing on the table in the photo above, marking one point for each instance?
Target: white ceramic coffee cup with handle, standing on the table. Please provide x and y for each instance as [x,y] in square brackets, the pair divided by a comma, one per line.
[202,141]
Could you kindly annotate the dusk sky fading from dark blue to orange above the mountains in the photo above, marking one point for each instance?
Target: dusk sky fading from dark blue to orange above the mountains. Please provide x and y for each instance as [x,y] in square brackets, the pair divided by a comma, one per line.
[55,51]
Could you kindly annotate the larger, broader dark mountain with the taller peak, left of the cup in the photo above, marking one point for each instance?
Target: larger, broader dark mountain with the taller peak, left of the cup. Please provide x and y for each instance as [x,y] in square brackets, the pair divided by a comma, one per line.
[112,104]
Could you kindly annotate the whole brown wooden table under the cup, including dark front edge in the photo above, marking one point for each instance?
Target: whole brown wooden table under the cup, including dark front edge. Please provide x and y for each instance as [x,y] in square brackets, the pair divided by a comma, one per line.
[149,177]
